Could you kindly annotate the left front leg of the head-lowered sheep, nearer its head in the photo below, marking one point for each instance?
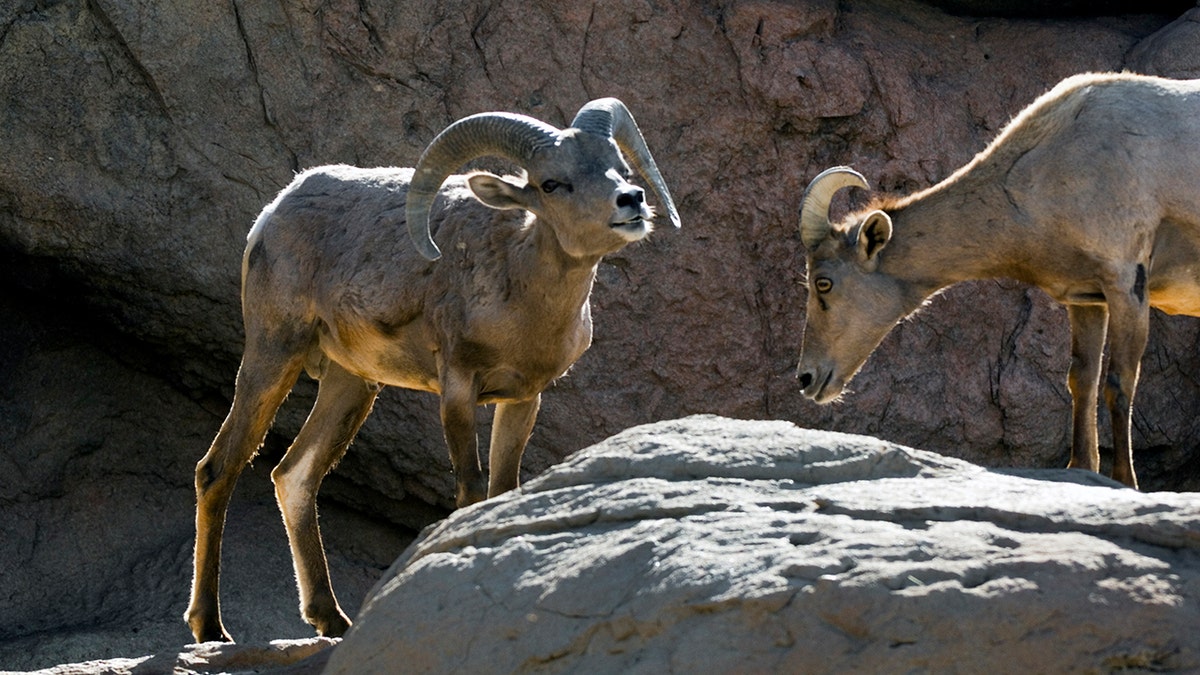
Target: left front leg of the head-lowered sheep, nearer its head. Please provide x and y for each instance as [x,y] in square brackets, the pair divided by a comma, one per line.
[1089,325]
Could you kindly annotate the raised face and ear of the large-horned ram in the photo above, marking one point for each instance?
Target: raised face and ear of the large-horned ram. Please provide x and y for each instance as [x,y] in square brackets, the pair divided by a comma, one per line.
[580,189]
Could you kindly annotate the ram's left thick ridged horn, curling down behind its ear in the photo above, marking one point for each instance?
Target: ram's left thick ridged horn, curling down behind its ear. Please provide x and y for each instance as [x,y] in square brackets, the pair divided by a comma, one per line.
[503,135]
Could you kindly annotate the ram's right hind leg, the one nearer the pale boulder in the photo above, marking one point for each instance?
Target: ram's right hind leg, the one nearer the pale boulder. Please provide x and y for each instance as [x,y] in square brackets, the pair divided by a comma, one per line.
[344,402]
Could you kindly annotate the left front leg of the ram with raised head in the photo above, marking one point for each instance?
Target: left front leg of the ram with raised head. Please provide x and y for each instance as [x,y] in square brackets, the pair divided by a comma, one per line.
[460,397]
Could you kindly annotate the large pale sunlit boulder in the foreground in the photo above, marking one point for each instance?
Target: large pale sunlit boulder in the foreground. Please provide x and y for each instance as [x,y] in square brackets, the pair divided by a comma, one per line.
[713,546]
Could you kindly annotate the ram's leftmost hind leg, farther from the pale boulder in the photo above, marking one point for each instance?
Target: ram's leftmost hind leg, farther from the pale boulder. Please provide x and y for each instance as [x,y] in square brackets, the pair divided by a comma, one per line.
[265,380]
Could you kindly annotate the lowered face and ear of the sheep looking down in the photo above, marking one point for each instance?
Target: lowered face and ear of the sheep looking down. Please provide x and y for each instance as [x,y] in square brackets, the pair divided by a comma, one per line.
[851,306]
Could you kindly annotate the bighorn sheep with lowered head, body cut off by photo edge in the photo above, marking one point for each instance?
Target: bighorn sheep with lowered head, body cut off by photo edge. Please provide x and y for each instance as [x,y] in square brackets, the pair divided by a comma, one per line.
[1091,194]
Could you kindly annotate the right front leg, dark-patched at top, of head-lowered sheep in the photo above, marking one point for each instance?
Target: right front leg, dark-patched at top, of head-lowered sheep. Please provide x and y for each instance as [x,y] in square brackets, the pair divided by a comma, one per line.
[1129,332]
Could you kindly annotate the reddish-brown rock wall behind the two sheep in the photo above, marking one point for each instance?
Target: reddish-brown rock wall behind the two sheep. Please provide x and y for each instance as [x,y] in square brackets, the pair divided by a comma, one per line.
[139,140]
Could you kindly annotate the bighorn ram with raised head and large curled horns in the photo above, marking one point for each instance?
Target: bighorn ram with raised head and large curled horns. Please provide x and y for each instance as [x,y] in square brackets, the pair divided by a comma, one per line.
[328,288]
